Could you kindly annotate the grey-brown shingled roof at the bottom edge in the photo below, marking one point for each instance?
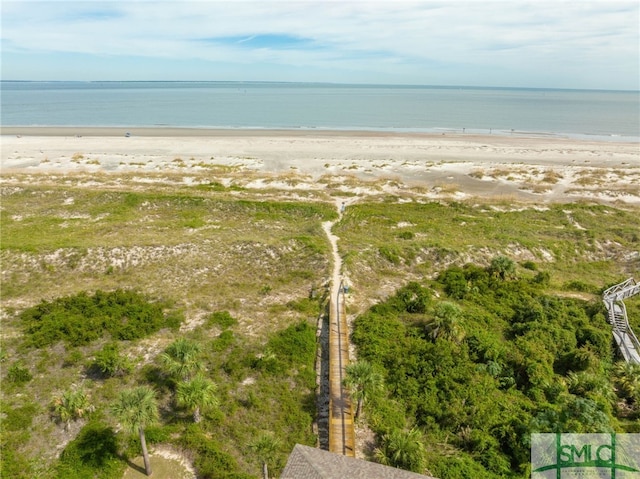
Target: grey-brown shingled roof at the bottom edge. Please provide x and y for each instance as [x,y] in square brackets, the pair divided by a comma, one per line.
[311,463]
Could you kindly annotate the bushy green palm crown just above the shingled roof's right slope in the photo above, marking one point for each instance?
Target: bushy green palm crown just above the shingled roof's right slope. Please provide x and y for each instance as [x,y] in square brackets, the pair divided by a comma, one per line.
[403,449]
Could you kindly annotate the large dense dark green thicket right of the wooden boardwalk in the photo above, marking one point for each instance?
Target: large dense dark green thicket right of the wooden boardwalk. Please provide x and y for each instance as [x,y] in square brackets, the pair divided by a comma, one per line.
[493,359]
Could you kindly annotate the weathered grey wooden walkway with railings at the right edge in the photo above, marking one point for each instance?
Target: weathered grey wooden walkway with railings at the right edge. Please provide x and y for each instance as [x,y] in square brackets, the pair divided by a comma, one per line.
[617,313]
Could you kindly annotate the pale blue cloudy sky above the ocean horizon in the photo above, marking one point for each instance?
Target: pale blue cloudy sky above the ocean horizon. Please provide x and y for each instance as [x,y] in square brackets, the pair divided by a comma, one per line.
[546,44]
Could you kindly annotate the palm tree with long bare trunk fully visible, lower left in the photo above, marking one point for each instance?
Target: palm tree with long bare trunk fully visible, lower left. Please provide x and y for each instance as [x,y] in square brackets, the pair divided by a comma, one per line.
[135,409]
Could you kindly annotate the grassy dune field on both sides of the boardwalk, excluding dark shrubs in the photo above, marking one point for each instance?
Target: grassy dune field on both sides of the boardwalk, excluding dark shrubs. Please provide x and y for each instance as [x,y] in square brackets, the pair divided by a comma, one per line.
[258,254]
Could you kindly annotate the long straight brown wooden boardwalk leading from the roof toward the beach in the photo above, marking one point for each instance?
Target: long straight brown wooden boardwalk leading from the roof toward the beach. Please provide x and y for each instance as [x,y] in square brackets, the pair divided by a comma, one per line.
[341,428]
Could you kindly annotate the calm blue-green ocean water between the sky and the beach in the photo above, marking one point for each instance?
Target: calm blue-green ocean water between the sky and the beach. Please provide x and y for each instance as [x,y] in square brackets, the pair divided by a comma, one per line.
[613,115]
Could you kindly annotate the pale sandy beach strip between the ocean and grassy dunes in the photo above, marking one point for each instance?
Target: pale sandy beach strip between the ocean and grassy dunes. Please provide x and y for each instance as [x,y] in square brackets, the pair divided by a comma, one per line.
[453,165]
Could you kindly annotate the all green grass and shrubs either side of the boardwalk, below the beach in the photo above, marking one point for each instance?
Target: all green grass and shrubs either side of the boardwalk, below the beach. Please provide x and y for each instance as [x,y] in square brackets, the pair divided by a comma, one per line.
[94,291]
